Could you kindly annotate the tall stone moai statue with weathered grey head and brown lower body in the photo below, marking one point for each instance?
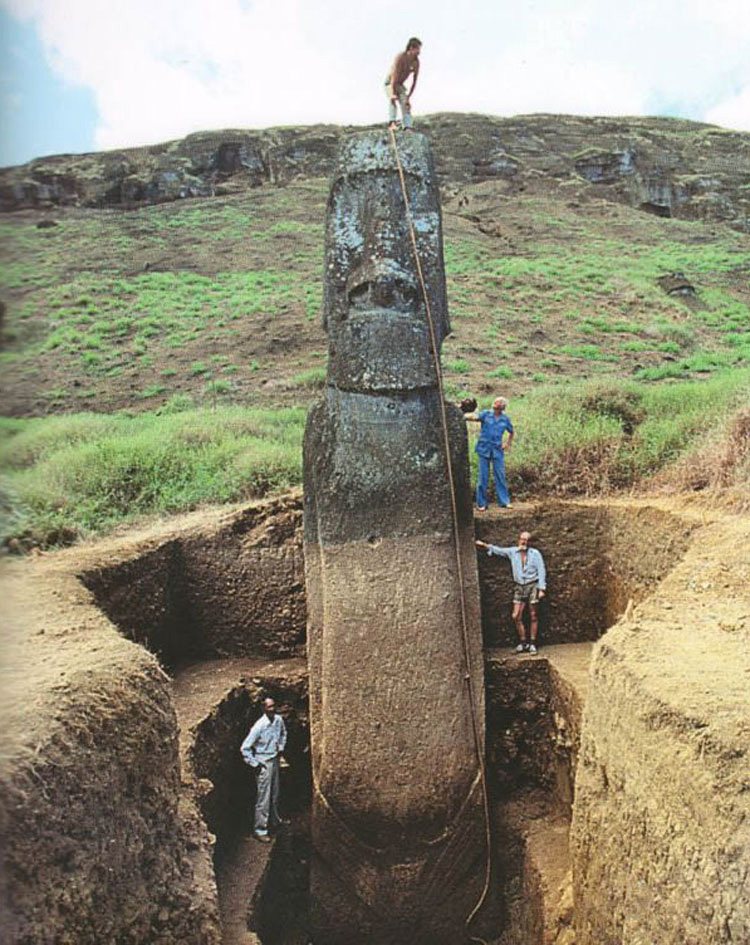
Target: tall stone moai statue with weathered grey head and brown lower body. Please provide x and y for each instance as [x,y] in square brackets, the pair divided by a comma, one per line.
[398,824]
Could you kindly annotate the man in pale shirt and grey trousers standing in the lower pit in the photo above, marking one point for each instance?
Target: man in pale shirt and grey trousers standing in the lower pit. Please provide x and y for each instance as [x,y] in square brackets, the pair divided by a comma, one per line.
[261,750]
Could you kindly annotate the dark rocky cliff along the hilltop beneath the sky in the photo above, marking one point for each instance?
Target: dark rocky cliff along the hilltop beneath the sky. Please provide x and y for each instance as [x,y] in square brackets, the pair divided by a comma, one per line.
[663,166]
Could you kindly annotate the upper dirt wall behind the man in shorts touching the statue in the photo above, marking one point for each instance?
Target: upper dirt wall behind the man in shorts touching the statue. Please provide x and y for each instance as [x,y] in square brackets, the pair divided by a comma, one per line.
[597,558]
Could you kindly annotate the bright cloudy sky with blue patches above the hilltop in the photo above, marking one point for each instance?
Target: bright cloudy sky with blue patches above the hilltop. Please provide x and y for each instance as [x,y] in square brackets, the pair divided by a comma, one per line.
[82,75]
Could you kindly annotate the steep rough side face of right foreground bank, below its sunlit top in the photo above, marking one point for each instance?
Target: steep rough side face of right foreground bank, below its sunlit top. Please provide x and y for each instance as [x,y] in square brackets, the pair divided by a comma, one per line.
[661,833]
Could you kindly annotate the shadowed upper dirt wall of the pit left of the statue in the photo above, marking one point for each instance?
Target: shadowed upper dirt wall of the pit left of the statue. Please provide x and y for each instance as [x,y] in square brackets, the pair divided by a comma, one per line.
[233,586]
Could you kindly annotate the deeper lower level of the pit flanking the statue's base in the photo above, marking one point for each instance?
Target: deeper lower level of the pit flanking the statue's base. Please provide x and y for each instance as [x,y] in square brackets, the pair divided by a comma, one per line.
[533,723]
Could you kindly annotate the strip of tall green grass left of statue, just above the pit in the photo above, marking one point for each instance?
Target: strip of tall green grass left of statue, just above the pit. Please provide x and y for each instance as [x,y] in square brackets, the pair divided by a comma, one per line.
[82,474]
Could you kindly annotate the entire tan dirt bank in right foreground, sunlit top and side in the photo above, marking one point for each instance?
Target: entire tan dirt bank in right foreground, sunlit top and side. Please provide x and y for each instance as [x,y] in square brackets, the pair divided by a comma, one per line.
[661,825]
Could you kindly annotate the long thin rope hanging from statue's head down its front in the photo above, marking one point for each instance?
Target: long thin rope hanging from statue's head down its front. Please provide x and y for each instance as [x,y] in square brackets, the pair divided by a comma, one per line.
[456,535]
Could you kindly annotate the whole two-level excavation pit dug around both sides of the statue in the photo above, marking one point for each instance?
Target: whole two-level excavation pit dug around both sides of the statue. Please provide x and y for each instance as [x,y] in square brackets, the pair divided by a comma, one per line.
[223,608]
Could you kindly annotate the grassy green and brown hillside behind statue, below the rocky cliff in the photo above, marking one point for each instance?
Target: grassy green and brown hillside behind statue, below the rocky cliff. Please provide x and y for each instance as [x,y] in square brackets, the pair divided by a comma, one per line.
[181,312]
